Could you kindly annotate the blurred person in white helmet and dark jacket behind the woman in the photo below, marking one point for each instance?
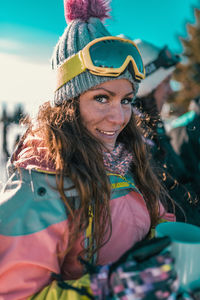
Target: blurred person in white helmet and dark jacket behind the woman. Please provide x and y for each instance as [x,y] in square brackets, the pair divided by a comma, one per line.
[153,93]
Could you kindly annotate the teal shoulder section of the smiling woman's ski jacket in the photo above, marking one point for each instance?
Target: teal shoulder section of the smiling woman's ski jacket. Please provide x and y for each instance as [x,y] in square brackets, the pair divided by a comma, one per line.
[30,202]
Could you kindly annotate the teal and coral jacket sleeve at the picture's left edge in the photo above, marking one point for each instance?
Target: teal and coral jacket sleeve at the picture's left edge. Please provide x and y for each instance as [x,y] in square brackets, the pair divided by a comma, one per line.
[33,235]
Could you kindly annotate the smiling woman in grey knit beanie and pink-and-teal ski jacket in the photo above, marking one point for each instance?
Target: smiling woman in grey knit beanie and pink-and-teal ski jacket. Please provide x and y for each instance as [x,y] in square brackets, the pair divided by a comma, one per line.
[82,185]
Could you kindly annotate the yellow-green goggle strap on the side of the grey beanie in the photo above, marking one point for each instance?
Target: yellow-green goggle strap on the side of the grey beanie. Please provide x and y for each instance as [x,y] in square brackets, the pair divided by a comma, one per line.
[69,69]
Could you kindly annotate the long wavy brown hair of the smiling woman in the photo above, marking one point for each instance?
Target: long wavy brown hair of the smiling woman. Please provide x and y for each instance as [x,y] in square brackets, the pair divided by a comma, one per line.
[77,154]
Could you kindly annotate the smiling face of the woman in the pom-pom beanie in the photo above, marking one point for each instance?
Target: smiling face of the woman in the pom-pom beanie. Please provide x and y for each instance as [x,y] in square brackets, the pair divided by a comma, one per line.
[106,109]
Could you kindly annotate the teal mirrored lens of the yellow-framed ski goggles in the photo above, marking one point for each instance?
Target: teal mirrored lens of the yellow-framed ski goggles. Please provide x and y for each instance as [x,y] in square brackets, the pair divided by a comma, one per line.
[113,53]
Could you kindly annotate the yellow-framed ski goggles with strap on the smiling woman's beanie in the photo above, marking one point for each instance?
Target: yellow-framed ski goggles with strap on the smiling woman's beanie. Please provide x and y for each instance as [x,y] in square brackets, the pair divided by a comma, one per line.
[105,56]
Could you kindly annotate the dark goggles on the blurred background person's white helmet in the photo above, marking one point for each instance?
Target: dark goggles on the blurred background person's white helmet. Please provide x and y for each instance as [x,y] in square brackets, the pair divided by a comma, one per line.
[166,59]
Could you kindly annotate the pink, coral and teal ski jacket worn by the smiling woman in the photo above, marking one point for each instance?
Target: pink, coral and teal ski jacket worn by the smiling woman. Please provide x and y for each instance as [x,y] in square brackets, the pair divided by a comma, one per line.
[34,231]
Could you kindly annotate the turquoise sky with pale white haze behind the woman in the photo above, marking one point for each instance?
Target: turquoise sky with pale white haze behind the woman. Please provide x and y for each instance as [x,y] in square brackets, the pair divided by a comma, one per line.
[30,29]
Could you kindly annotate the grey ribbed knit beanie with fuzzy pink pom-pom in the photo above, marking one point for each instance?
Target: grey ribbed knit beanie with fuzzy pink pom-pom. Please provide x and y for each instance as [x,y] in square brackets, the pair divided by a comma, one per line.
[84,19]
